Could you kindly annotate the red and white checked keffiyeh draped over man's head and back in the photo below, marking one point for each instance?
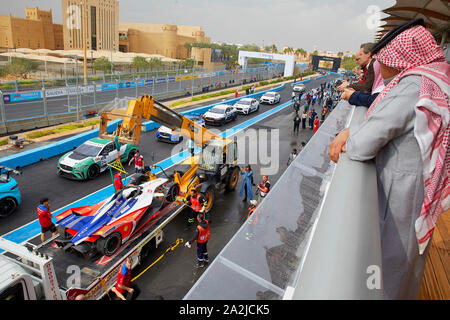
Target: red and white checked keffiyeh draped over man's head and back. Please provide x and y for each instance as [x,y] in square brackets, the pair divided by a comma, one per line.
[415,52]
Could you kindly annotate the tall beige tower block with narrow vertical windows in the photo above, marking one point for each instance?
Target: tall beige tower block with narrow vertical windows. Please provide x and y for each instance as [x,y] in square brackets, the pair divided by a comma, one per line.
[102,24]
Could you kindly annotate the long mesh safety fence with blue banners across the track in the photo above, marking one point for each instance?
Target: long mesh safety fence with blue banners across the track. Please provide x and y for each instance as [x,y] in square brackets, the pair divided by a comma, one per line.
[80,100]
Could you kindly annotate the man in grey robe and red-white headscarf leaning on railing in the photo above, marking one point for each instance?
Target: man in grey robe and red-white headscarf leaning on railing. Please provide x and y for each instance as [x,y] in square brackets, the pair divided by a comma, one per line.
[406,130]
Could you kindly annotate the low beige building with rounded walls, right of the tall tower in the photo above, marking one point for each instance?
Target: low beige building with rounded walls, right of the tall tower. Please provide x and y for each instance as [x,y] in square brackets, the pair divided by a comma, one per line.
[165,39]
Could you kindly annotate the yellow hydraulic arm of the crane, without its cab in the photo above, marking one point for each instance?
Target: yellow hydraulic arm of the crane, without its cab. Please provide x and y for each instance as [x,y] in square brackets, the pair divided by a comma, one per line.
[147,108]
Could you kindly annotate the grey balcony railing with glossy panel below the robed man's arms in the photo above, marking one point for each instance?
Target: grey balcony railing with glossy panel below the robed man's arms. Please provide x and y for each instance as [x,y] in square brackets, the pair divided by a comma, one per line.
[320,240]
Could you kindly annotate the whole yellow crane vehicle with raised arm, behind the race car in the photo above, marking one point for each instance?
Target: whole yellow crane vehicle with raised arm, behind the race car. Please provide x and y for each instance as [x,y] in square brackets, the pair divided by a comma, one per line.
[214,169]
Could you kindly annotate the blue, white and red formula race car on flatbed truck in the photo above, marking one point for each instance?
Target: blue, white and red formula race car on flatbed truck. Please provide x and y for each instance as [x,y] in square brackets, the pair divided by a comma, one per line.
[105,226]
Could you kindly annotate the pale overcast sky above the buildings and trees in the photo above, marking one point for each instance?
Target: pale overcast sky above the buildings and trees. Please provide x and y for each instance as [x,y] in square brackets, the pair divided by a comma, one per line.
[336,25]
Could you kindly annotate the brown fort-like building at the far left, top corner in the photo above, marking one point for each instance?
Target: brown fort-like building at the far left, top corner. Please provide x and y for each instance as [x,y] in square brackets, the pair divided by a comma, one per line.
[36,31]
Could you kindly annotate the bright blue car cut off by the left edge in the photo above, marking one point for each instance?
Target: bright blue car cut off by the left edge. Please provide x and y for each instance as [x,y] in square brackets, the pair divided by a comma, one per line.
[9,192]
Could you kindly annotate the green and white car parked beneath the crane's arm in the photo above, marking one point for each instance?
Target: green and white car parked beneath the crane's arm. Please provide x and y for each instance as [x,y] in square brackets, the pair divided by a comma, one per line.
[91,158]
